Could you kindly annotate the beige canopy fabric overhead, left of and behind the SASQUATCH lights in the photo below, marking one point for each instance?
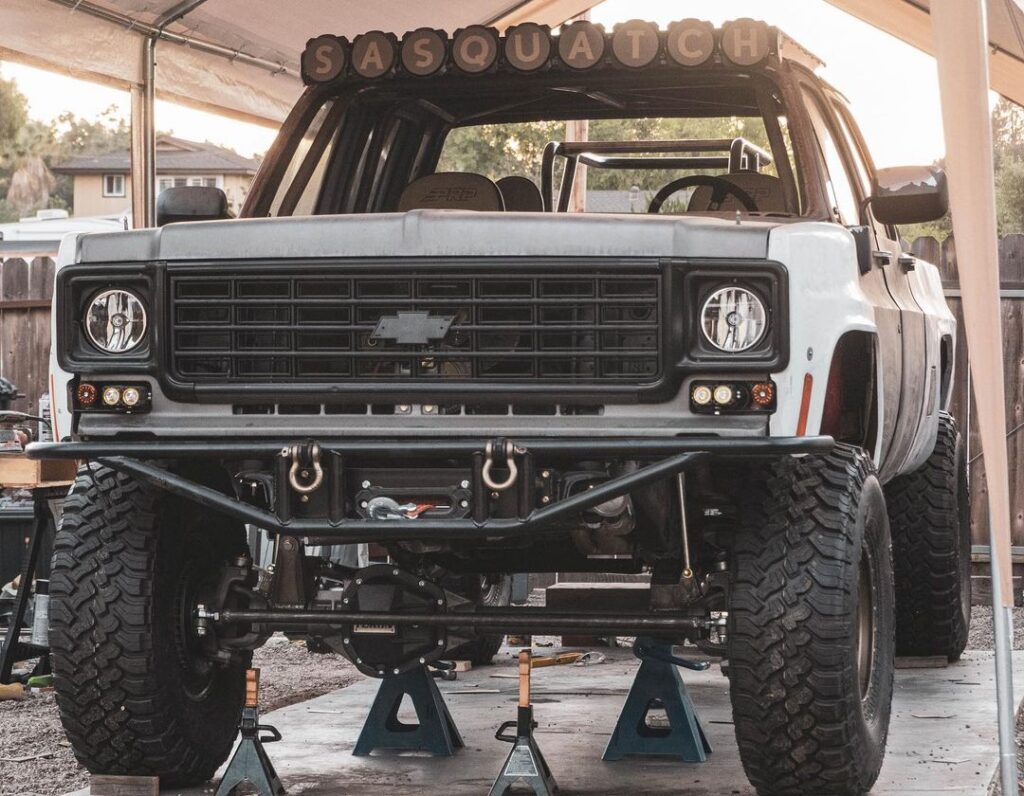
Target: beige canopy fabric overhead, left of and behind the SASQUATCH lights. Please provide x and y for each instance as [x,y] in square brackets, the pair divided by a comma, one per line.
[51,34]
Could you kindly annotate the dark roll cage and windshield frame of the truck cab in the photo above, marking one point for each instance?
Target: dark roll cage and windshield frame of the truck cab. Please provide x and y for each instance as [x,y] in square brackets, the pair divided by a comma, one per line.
[377,138]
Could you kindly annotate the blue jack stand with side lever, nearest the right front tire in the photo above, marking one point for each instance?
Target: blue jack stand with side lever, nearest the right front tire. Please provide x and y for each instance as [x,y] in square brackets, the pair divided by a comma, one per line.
[659,685]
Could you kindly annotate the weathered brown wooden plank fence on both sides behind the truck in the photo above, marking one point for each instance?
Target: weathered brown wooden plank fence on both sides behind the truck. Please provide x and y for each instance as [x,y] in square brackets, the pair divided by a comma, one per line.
[26,288]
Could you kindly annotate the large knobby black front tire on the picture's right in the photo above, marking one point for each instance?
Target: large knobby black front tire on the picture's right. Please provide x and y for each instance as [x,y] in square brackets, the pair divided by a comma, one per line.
[810,631]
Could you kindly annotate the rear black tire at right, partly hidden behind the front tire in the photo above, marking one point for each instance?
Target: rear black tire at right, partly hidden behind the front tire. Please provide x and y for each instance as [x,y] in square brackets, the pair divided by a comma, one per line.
[930,517]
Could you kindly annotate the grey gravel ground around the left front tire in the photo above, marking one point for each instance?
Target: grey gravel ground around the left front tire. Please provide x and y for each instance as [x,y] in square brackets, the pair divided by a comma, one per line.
[32,730]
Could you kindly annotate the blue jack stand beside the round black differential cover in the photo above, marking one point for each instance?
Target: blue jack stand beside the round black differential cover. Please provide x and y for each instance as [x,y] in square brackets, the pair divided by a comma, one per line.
[437,732]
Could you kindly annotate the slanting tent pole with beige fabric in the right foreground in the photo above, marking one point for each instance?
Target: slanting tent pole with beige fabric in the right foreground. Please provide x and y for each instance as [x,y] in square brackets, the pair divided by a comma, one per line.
[961,34]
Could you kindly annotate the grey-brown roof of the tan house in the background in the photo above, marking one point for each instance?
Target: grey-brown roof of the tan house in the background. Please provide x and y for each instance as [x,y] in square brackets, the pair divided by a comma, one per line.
[174,156]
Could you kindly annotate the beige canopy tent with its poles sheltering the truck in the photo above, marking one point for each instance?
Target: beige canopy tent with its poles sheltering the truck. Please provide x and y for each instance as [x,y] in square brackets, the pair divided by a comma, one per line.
[241,58]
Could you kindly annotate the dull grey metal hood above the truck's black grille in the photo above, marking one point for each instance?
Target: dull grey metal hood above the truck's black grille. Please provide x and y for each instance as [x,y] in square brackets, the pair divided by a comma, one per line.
[436,233]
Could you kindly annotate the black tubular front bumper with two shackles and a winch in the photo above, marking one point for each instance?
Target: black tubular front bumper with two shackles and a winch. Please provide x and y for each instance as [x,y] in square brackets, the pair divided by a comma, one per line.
[664,457]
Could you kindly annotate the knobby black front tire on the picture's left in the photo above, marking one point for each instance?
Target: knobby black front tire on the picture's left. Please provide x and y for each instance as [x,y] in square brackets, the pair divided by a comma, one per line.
[118,718]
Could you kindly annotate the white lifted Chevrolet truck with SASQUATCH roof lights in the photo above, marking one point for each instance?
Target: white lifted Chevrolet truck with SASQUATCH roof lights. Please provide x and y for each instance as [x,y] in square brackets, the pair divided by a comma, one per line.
[739,389]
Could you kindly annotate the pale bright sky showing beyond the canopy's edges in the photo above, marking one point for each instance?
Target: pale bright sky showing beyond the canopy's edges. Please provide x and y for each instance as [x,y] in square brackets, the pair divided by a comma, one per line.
[891,87]
